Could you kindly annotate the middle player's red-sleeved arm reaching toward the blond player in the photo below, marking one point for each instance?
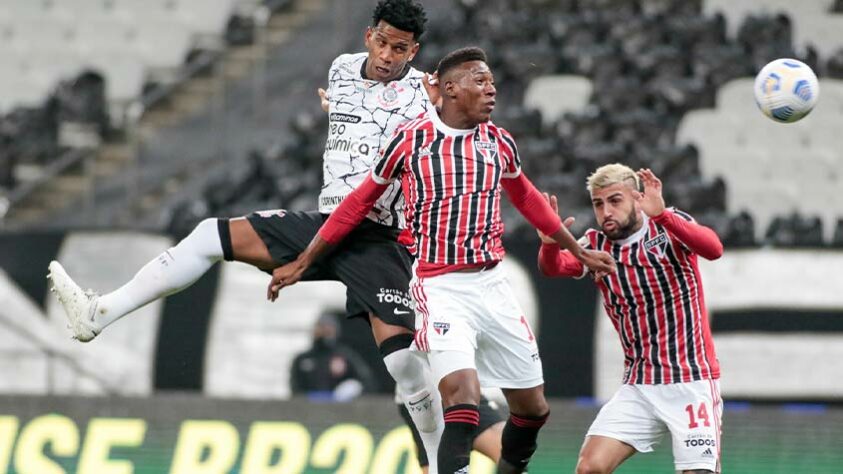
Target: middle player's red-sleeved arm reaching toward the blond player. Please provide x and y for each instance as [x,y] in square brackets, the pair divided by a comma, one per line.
[530,203]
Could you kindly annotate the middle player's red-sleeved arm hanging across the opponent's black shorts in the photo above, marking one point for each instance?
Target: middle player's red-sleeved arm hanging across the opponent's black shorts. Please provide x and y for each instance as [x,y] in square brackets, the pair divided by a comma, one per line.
[343,220]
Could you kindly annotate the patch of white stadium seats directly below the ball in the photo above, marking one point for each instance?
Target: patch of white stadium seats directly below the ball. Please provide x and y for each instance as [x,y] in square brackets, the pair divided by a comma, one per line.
[771,169]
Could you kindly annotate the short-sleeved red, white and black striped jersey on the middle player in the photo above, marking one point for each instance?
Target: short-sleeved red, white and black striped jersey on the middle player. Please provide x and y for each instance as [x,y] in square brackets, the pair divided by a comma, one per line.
[450,179]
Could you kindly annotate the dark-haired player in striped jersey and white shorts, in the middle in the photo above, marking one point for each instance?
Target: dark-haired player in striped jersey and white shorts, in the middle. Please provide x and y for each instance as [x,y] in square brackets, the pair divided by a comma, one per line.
[452,167]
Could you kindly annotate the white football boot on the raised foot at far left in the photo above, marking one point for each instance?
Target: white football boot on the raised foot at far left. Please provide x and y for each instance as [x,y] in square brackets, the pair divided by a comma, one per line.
[79,306]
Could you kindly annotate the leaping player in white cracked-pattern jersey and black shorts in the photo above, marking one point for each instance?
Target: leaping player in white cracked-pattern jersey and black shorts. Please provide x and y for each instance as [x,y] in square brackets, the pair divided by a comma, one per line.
[370,94]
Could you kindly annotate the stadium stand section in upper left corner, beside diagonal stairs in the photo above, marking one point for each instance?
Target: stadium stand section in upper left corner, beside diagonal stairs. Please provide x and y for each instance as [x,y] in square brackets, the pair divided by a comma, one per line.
[140,52]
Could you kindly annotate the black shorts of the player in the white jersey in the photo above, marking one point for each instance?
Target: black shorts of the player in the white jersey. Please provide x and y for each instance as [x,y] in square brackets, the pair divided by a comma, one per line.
[371,263]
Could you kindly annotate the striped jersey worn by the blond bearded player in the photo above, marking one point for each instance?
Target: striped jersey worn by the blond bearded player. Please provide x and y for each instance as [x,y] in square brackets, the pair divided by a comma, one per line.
[655,301]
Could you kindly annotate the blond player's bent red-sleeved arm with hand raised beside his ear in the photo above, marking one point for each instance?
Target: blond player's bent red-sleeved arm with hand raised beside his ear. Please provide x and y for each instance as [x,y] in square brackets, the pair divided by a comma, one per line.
[700,239]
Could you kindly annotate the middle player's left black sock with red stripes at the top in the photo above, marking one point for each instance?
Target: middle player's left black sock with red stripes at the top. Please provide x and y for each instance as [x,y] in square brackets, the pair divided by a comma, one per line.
[455,448]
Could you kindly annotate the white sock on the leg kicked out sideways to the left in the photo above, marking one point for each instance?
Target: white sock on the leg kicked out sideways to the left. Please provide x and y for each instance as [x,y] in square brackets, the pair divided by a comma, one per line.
[172,271]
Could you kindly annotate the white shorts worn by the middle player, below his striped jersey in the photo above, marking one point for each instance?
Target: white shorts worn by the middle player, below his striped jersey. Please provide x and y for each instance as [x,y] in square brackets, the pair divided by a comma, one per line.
[473,321]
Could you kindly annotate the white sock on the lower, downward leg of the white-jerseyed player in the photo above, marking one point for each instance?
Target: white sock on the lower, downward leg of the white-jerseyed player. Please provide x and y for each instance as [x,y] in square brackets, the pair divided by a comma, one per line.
[414,383]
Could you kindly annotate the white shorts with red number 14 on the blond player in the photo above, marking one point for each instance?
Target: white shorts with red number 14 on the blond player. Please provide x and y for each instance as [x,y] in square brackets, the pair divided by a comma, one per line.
[639,415]
